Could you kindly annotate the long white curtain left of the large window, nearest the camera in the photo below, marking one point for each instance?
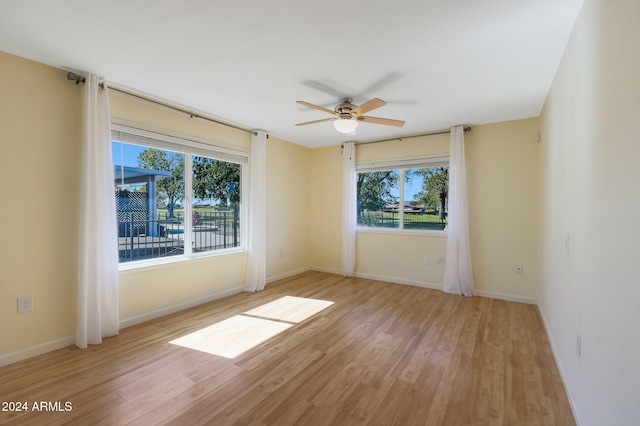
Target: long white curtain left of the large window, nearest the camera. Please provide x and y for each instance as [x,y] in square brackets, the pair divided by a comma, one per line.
[98,304]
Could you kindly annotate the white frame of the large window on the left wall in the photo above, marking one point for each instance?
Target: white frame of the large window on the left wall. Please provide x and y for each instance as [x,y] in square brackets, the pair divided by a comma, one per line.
[129,133]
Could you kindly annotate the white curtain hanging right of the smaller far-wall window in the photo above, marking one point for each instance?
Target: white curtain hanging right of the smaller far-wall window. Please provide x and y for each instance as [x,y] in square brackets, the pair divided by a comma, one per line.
[458,276]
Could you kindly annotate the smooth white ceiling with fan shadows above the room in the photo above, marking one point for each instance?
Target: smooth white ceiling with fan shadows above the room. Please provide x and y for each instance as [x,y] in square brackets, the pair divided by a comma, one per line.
[437,63]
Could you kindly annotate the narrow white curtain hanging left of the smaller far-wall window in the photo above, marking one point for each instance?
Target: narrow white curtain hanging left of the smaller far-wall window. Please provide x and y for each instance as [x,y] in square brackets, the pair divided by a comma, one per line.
[349,207]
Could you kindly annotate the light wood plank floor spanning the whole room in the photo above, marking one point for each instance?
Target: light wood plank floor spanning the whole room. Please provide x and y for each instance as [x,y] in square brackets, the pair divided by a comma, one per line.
[381,354]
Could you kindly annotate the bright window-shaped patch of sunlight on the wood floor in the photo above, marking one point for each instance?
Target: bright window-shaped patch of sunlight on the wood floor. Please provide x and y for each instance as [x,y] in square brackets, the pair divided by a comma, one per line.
[238,334]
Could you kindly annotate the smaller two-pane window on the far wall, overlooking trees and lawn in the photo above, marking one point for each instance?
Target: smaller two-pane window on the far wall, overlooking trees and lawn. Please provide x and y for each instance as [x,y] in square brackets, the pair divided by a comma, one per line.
[403,194]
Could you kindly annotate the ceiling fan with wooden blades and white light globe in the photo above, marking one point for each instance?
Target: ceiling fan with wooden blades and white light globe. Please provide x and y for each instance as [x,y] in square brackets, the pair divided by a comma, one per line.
[347,115]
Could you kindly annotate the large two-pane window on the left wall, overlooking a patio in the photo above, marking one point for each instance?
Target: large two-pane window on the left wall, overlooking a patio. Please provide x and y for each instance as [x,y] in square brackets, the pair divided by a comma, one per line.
[175,197]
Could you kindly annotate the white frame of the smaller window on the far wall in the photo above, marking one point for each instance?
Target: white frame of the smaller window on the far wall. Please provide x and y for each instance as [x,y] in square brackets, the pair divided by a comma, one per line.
[401,165]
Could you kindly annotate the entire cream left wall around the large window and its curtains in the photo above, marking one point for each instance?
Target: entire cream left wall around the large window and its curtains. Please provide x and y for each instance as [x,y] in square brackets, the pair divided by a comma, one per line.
[40,192]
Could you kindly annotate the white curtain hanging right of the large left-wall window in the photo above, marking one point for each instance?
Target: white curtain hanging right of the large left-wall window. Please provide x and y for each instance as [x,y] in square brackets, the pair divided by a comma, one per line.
[256,277]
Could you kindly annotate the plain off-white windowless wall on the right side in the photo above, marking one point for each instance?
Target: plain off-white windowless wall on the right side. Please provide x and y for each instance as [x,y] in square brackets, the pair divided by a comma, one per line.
[588,176]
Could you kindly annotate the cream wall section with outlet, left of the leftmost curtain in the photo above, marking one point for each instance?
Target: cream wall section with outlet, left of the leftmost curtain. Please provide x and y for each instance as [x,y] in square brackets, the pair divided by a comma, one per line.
[40,124]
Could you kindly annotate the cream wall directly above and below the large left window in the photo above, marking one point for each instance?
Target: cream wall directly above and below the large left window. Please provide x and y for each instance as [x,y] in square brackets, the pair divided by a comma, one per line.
[150,291]
